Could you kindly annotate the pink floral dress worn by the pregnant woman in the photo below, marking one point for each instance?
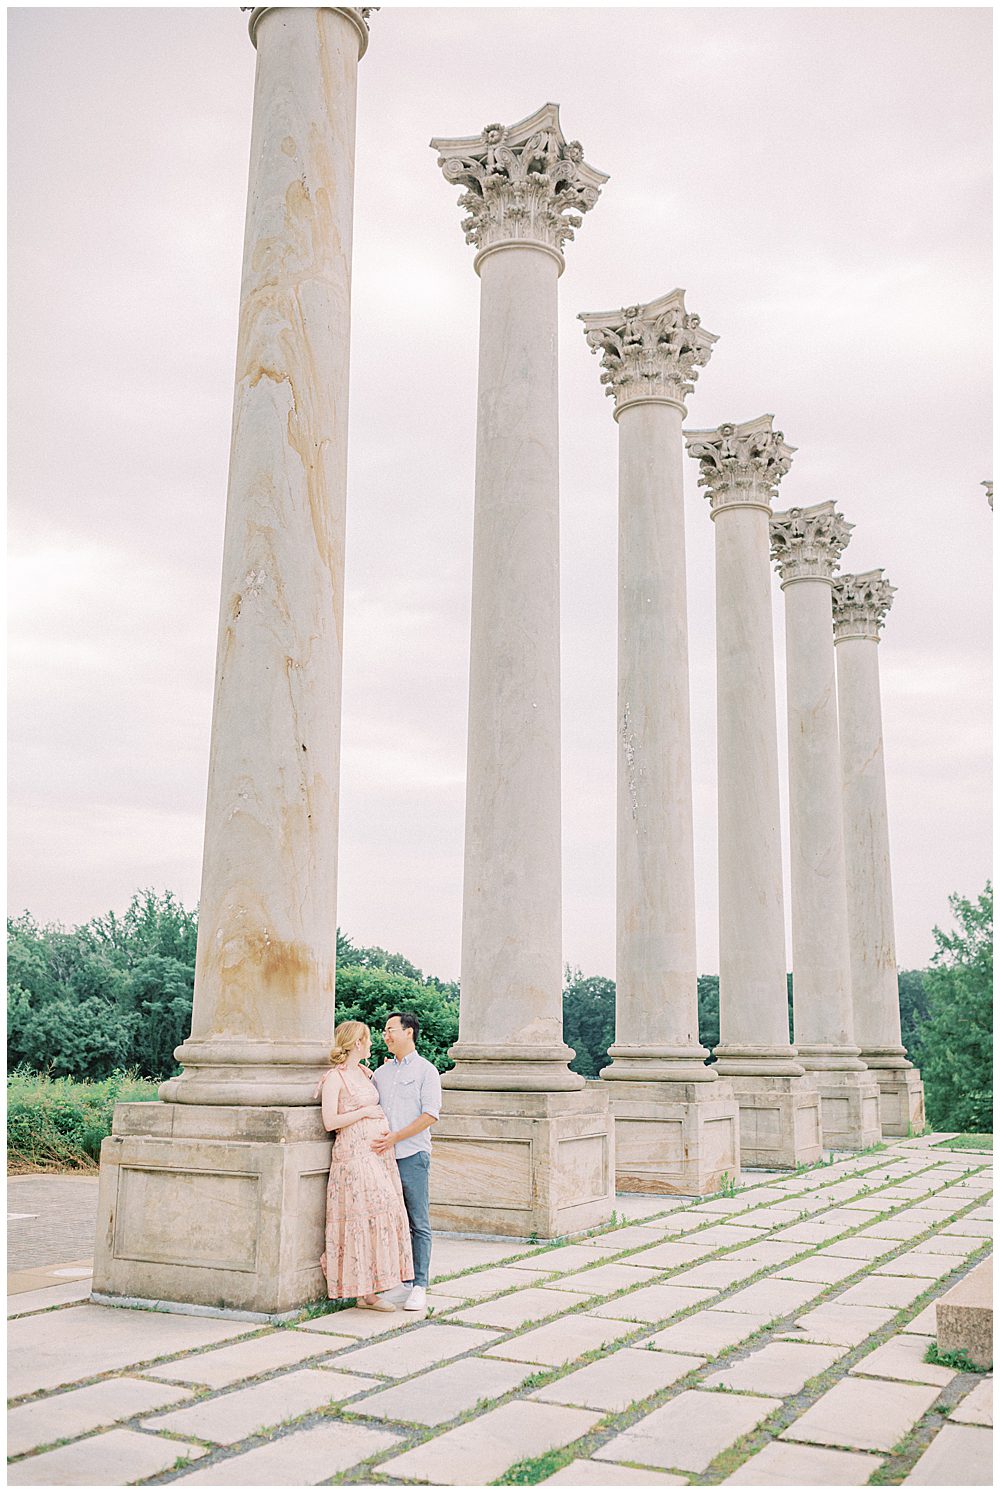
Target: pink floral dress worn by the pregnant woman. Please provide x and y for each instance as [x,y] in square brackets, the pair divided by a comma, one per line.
[368,1231]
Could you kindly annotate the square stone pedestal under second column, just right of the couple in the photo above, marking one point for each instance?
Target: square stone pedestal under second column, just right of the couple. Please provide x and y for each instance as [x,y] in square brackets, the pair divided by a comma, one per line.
[523,1164]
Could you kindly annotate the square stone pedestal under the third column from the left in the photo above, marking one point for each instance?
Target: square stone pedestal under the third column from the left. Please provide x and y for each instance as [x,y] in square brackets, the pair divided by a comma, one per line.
[674,1137]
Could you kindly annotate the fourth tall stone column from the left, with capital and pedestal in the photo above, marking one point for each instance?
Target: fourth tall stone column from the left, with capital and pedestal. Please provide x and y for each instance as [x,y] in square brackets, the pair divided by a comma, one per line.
[780,1109]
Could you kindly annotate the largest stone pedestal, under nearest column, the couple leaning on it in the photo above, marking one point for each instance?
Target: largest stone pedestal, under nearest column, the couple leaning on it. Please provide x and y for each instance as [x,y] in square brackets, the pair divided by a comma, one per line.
[214,1206]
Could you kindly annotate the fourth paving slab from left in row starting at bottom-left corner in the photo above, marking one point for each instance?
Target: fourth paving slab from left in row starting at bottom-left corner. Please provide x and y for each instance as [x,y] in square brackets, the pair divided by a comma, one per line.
[690,1431]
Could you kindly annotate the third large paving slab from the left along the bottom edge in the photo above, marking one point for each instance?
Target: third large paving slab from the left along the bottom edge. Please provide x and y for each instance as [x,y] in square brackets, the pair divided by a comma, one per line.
[483,1449]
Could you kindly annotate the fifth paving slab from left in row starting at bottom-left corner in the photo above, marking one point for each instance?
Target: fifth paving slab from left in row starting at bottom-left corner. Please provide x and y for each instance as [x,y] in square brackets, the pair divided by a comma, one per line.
[853,1415]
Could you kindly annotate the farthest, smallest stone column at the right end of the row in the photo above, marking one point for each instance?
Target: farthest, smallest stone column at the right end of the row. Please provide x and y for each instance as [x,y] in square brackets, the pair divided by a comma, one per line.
[860,604]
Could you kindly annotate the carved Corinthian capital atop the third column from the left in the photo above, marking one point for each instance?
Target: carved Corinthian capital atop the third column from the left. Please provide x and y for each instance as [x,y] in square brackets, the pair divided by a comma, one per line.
[650,352]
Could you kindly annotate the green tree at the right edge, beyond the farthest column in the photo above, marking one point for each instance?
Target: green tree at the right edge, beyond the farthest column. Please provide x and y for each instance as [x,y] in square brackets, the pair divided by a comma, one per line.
[954,1047]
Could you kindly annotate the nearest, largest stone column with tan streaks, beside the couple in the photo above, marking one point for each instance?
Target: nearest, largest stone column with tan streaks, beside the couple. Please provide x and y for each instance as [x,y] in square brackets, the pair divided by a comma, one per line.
[217,1195]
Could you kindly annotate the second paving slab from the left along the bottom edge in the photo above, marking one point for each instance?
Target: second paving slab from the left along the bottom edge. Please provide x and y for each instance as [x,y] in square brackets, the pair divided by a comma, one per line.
[301,1459]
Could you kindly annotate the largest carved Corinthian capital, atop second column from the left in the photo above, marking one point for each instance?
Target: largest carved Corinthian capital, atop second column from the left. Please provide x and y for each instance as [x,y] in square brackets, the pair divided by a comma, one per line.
[525,183]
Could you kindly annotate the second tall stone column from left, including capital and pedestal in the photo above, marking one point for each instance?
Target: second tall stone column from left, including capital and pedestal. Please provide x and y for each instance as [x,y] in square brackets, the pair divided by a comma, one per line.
[523,1146]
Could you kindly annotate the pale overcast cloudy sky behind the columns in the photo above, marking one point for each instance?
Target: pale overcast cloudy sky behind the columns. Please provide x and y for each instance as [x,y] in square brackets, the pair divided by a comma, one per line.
[819,183]
